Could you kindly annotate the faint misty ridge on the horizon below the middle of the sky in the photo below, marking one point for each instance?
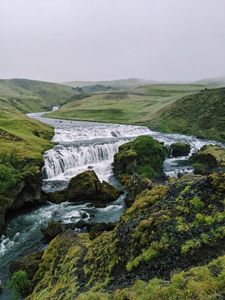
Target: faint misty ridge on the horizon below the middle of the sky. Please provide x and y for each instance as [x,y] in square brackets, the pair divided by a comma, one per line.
[119,83]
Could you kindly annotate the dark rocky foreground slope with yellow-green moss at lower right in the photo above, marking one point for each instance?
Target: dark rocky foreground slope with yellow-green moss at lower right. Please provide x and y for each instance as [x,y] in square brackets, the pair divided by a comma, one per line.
[169,227]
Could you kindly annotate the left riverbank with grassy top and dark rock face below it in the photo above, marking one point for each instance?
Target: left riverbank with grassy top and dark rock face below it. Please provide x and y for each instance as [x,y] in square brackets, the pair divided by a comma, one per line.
[22,144]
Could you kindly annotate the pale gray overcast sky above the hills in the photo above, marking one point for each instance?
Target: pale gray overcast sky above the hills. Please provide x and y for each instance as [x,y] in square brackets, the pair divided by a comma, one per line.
[62,40]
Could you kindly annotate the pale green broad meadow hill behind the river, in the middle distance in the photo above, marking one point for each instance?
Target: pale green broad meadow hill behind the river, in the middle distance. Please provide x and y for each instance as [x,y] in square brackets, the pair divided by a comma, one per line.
[139,105]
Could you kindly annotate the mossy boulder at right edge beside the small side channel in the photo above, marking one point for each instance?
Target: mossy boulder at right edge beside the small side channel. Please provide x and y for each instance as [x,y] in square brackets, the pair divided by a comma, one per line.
[208,159]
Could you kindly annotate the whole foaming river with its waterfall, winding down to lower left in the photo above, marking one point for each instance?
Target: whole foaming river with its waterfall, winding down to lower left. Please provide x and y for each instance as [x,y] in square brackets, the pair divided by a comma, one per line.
[79,146]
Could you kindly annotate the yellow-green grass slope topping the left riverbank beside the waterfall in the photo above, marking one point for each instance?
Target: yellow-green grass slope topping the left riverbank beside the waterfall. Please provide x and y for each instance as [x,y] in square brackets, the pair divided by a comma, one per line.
[22,143]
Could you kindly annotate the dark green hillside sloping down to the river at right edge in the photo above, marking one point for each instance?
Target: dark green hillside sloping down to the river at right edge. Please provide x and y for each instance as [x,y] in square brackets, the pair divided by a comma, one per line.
[202,114]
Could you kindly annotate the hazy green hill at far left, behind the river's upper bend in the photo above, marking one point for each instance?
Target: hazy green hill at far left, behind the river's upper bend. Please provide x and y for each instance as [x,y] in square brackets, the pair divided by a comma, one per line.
[30,95]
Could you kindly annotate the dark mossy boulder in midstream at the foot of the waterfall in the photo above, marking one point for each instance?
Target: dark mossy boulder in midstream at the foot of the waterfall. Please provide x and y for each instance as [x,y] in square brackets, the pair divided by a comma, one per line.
[87,187]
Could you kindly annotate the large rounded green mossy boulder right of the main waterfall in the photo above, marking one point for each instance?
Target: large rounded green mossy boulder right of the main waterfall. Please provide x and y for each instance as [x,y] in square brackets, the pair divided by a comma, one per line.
[143,156]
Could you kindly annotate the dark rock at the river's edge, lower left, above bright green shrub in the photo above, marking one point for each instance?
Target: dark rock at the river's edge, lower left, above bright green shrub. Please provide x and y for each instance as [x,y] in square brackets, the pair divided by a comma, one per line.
[28,263]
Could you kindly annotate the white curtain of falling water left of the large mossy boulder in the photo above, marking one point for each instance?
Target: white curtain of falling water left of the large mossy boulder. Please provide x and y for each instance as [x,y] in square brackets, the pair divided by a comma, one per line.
[63,162]
